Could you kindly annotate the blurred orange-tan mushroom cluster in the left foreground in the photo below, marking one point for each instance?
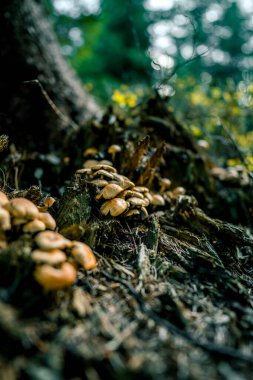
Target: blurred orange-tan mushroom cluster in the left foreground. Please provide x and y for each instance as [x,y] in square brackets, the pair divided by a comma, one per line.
[56,258]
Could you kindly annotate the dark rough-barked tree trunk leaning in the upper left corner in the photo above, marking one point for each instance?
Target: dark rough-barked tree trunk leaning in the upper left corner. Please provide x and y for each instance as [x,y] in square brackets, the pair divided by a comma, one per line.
[29,52]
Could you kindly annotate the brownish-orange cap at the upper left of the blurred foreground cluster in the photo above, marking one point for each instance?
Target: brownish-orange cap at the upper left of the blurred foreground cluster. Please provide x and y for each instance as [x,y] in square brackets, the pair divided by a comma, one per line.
[22,208]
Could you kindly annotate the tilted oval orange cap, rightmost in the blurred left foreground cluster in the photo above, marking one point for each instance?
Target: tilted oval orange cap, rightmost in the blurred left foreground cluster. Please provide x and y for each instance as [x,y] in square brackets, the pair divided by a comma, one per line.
[83,255]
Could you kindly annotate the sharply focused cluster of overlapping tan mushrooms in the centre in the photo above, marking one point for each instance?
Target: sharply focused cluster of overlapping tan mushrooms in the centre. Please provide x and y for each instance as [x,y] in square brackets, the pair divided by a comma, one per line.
[120,196]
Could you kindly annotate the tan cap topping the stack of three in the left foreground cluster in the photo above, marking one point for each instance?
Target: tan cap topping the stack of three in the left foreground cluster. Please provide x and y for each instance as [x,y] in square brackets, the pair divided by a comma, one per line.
[48,240]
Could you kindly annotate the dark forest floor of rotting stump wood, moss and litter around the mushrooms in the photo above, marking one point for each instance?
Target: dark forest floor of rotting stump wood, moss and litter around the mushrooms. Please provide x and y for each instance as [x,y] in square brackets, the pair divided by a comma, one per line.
[171,296]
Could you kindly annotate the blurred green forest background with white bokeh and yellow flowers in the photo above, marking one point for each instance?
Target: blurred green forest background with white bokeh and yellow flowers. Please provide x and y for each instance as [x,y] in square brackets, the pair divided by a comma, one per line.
[196,52]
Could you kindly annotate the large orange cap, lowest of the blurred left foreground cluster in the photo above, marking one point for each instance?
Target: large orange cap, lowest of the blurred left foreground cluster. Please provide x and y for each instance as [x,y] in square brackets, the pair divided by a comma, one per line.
[51,278]
